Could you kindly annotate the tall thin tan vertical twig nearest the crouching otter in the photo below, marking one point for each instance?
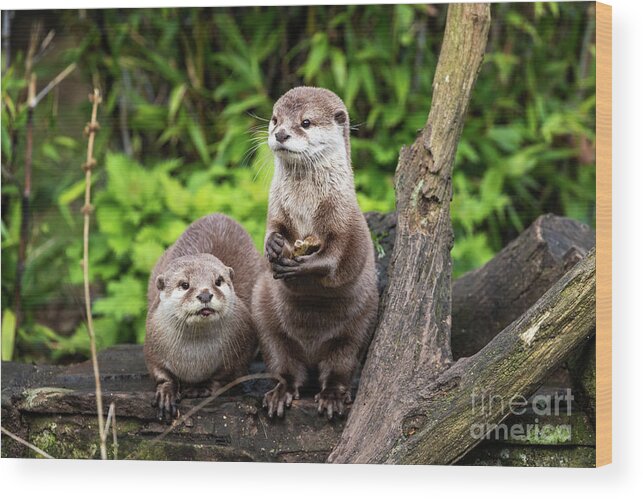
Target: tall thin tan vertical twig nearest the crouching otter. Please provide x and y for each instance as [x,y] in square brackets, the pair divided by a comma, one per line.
[91,129]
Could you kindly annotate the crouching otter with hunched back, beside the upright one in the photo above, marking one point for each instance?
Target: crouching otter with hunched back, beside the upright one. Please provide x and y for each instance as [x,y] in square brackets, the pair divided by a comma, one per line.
[199,331]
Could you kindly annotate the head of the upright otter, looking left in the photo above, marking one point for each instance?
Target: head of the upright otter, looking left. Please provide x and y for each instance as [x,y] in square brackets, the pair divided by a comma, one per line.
[309,124]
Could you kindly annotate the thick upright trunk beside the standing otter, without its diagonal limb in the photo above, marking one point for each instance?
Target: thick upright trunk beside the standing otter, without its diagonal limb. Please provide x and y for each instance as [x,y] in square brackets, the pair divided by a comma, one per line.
[412,341]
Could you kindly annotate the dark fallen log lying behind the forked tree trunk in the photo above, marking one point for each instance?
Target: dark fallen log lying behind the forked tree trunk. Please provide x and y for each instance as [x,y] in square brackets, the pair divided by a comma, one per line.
[488,299]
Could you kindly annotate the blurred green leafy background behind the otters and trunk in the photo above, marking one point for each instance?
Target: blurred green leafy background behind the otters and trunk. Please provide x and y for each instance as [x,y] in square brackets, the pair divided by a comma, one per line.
[186,93]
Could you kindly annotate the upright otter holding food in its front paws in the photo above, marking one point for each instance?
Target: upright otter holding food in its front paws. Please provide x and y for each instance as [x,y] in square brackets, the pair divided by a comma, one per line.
[316,310]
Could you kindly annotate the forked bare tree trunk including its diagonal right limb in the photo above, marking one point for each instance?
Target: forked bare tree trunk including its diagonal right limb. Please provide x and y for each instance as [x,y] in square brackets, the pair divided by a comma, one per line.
[414,406]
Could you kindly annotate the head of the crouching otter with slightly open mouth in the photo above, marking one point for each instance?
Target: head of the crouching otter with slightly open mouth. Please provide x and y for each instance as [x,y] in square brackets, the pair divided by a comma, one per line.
[196,290]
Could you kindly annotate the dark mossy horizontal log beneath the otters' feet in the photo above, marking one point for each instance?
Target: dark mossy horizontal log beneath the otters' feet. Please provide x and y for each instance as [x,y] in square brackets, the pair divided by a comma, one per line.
[55,407]
